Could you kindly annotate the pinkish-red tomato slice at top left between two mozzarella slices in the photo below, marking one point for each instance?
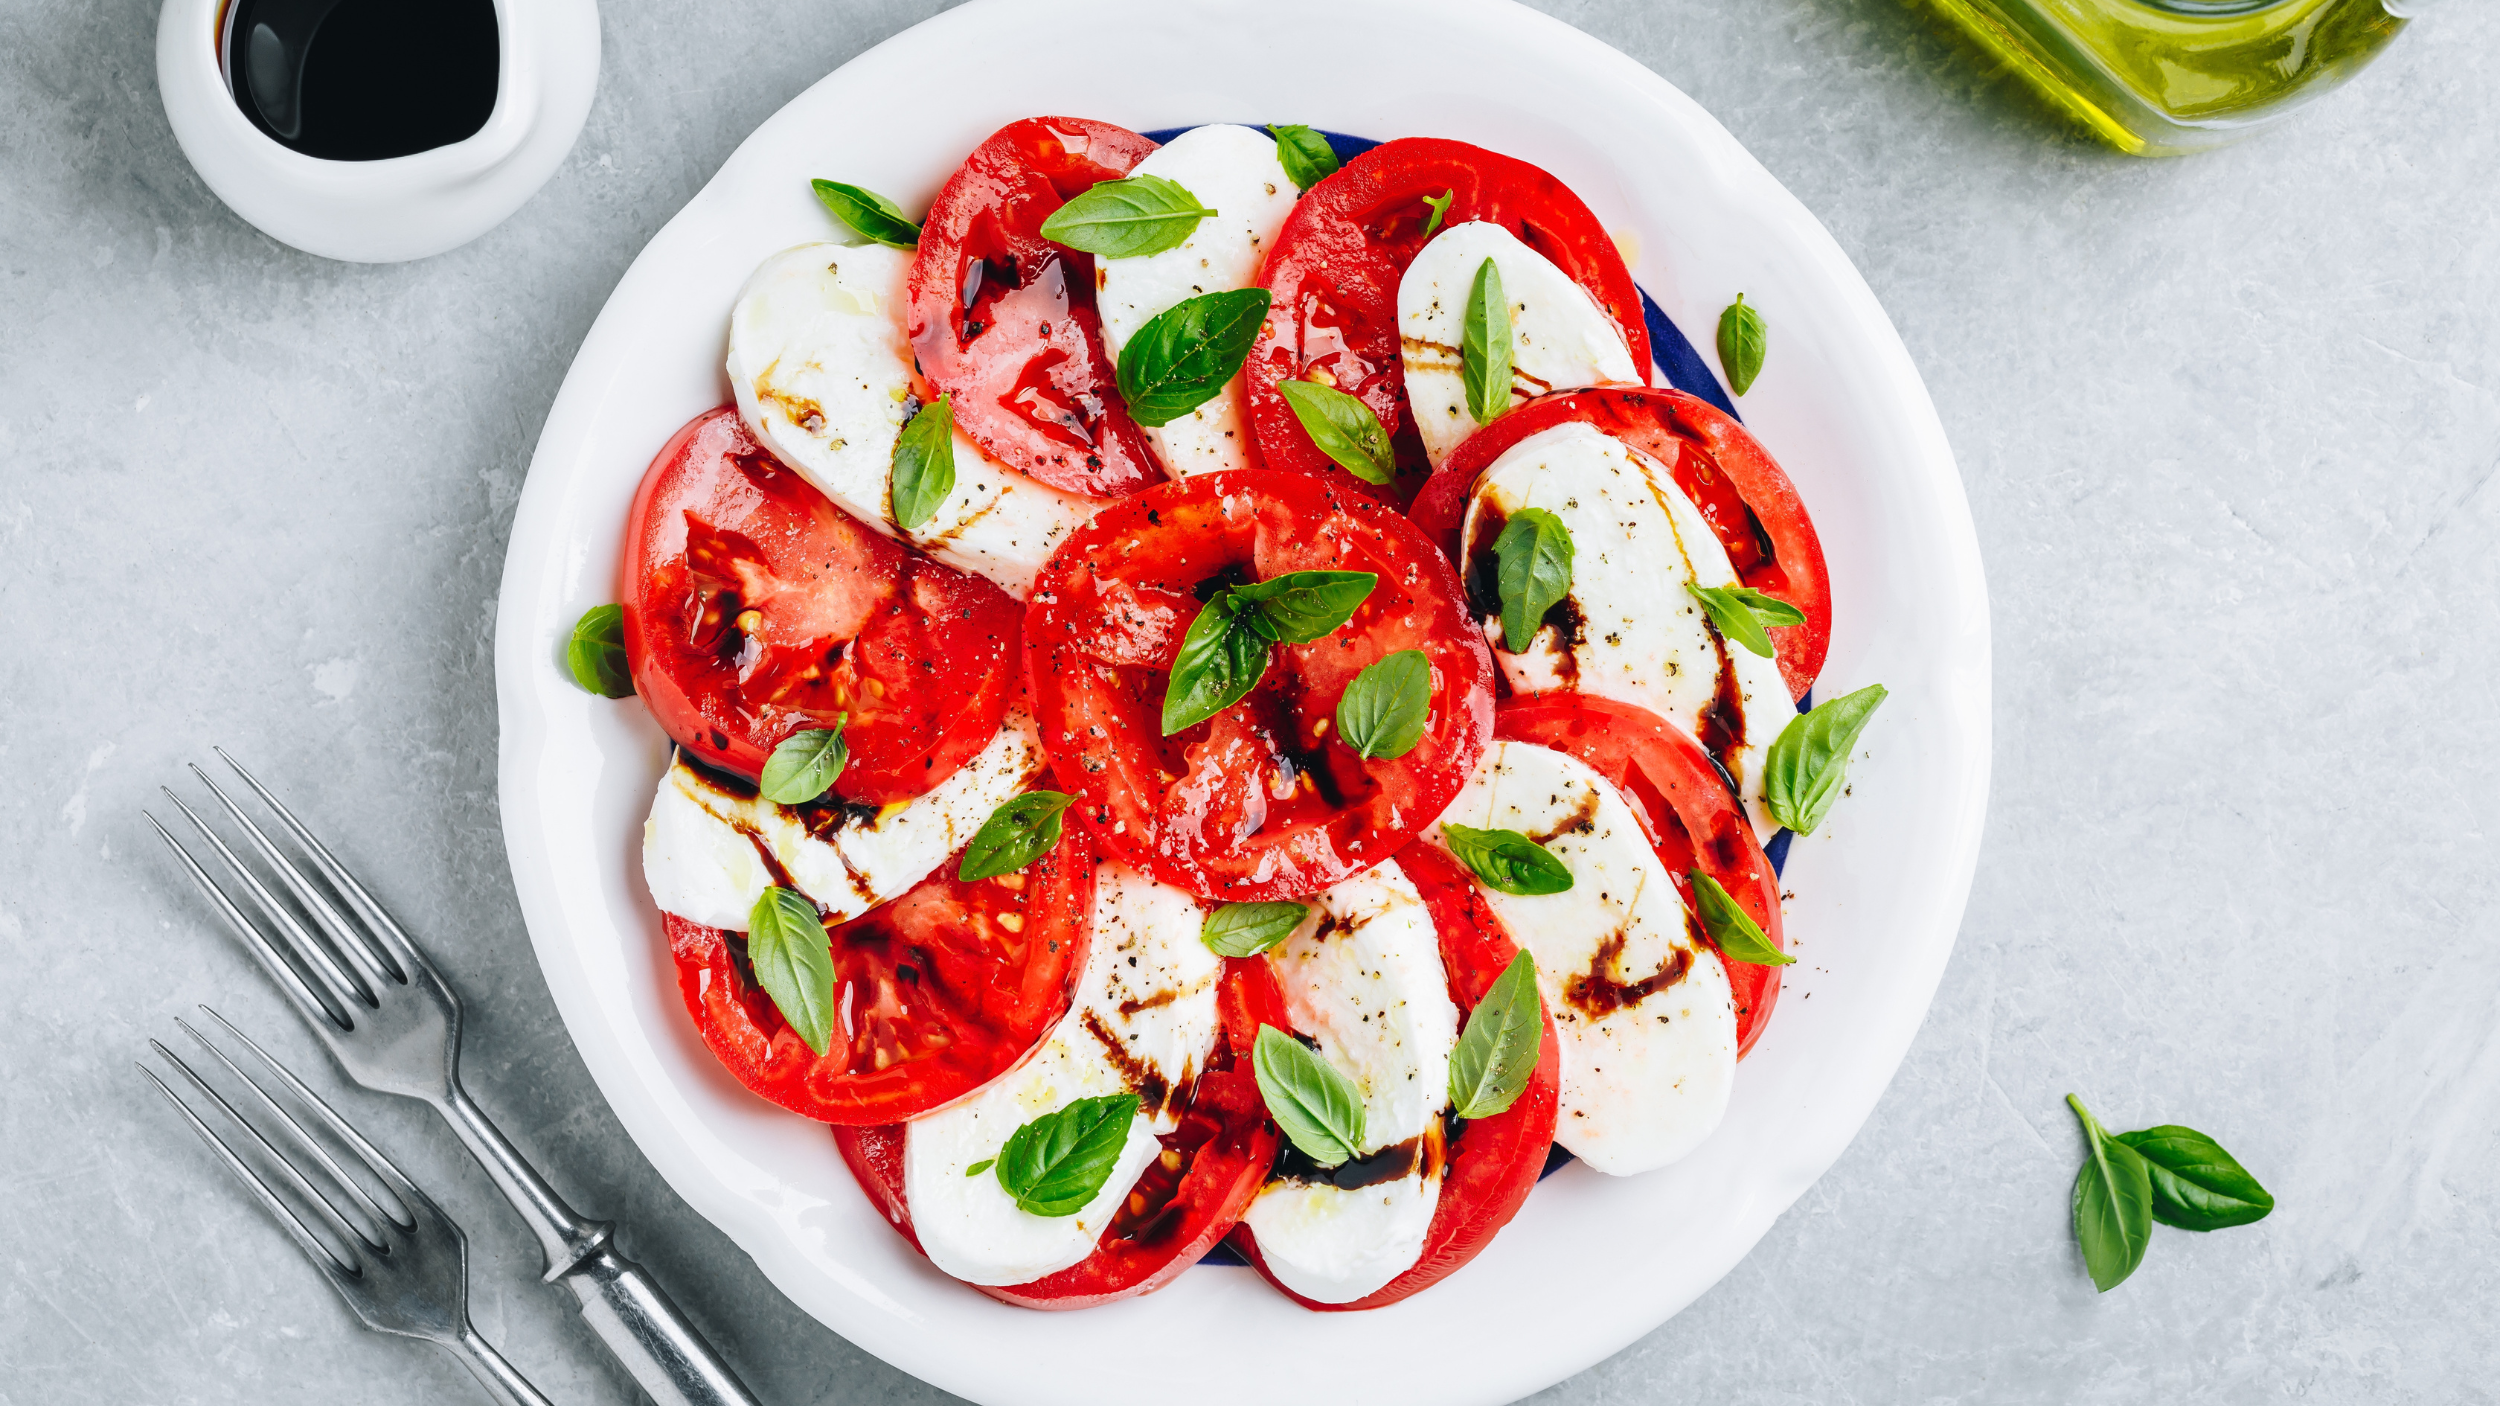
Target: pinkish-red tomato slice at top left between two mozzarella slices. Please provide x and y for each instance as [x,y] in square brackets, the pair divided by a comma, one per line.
[1006,319]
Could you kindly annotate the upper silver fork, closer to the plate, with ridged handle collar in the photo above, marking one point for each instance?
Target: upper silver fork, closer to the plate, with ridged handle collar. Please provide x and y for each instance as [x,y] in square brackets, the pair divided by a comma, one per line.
[394,1024]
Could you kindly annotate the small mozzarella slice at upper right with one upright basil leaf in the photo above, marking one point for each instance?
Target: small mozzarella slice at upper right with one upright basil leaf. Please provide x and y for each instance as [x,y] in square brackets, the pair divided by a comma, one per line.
[1559,334]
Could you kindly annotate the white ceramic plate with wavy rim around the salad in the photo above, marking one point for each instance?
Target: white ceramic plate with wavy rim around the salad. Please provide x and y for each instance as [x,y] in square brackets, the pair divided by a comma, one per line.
[1879,892]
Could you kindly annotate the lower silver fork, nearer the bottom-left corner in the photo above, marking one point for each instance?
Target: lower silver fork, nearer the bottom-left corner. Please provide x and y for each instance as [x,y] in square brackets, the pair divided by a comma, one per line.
[404,1270]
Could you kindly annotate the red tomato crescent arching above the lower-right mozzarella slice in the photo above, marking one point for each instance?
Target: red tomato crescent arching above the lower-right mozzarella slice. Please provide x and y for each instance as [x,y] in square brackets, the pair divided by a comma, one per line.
[1684,802]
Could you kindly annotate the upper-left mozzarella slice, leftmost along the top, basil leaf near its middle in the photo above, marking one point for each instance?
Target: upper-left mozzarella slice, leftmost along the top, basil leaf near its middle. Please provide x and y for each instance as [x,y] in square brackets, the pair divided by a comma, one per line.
[824,379]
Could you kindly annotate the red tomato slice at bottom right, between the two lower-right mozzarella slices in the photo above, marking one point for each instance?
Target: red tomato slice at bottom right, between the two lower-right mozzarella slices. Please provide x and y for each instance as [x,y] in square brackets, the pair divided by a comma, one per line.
[1491,1165]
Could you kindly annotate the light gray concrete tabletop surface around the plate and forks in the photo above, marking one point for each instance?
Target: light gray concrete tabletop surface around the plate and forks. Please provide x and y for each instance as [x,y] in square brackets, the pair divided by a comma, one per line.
[2231,432]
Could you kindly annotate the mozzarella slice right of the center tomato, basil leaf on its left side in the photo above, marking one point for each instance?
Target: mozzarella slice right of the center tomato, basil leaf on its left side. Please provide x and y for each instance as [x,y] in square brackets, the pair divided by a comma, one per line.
[1634,632]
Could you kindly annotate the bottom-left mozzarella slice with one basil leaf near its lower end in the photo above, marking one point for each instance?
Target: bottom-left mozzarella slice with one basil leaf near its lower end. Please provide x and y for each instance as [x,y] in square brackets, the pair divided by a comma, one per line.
[1144,1022]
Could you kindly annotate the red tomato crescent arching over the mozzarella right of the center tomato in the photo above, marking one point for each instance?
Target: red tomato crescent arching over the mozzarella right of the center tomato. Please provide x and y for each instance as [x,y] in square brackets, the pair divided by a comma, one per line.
[1729,474]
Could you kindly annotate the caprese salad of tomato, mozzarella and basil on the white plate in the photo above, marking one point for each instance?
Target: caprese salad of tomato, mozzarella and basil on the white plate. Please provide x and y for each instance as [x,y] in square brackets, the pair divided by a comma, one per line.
[1219,699]
